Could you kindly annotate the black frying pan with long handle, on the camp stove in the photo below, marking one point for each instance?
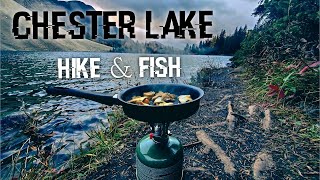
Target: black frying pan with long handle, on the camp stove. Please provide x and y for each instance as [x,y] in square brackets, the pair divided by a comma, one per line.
[151,114]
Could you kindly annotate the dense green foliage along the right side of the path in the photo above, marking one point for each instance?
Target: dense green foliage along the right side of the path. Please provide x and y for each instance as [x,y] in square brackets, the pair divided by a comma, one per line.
[281,54]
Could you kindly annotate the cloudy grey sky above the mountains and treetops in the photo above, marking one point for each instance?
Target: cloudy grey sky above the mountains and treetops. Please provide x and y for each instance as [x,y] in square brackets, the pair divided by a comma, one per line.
[227,14]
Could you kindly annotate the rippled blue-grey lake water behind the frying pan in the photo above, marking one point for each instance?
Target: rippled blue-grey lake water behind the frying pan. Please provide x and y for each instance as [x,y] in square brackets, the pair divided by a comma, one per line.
[26,75]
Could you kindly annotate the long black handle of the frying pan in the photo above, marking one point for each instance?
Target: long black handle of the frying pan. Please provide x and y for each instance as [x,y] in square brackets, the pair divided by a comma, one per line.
[97,97]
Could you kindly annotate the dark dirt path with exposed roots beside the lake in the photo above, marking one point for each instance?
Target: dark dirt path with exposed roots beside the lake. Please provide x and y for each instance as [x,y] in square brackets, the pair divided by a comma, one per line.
[218,143]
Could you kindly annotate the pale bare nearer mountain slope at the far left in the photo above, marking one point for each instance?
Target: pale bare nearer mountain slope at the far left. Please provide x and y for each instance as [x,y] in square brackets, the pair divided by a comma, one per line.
[8,42]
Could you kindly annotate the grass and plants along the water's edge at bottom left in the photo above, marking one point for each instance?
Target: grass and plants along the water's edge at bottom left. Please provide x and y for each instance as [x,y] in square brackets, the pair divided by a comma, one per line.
[103,143]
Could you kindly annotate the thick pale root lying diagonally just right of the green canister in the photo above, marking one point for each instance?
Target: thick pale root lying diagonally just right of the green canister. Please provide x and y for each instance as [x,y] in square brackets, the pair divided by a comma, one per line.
[206,140]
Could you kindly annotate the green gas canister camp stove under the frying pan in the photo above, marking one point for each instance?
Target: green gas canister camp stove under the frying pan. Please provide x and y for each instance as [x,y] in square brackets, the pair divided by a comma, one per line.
[159,155]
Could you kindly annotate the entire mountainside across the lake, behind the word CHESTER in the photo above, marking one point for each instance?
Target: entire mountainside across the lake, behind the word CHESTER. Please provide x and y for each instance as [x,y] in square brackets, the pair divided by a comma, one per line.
[118,45]
